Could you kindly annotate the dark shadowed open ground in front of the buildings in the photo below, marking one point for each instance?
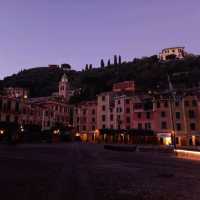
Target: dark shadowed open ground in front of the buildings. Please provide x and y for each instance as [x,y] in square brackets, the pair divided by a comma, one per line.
[77,171]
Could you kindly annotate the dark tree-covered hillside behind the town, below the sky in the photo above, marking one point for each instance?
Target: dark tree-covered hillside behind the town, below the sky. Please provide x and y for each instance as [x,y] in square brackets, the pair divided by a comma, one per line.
[147,72]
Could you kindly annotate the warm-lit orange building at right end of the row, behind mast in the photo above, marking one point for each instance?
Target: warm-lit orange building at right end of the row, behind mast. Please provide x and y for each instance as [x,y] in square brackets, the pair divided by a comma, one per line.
[181,118]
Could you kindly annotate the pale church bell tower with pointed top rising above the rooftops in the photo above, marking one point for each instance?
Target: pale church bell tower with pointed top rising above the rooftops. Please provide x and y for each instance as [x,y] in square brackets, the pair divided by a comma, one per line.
[64,90]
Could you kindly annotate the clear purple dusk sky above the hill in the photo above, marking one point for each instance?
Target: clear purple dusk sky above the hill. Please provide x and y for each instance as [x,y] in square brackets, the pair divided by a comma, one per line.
[41,32]
